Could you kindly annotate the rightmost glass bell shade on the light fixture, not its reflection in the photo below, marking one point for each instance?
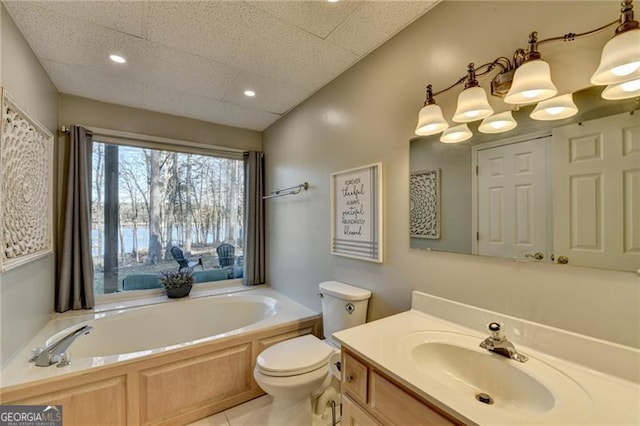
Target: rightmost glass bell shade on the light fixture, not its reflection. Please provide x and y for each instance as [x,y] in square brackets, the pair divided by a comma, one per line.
[620,60]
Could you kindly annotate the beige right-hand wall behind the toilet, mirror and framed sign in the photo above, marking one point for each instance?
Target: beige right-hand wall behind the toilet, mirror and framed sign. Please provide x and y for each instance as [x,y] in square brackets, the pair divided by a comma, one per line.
[368,115]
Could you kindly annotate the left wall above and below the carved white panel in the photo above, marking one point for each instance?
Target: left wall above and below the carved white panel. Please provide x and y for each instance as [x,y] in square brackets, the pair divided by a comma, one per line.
[26,292]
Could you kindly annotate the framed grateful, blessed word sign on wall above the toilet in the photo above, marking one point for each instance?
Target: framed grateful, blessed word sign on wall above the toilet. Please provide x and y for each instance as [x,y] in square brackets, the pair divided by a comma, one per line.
[356,213]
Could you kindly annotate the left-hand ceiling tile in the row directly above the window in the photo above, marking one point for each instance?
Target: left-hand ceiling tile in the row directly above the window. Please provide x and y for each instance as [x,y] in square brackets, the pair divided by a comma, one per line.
[92,83]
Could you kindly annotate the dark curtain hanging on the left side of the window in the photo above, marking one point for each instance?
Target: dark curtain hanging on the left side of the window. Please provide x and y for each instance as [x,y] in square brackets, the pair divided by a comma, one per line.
[74,286]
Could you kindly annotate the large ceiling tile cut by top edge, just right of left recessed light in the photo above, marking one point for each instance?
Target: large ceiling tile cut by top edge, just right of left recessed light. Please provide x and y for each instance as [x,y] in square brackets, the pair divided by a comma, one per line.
[243,36]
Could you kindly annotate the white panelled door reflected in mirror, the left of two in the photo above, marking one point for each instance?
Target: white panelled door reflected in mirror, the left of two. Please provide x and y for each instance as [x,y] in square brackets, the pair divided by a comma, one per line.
[512,200]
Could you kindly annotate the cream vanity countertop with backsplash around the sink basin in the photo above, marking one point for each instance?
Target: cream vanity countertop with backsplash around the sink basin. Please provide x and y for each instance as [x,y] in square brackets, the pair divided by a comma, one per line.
[606,399]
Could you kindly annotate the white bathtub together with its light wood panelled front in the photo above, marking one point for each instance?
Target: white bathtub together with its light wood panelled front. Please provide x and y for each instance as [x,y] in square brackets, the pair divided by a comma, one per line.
[204,346]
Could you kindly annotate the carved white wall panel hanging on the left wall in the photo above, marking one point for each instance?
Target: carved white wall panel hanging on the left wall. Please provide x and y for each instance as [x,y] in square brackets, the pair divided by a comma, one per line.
[26,183]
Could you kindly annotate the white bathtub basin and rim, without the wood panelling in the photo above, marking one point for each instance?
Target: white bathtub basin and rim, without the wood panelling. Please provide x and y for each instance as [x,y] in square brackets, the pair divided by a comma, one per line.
[127,334]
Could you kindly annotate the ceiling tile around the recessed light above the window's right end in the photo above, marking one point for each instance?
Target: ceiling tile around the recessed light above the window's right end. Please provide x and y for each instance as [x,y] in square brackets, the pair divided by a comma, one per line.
[271,95]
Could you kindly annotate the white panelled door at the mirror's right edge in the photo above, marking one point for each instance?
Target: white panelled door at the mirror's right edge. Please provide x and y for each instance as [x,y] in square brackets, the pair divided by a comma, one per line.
[597,192]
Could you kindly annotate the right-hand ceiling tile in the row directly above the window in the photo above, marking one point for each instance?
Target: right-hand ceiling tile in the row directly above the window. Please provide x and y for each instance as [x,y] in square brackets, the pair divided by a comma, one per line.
[165,100]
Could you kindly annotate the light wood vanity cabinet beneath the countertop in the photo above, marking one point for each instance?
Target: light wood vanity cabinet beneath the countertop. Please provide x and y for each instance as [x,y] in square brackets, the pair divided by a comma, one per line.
[370,397]
